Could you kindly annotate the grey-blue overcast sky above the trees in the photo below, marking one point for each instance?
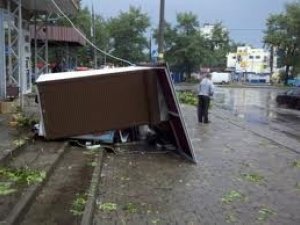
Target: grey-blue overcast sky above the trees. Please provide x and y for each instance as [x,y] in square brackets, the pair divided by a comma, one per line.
[245,19]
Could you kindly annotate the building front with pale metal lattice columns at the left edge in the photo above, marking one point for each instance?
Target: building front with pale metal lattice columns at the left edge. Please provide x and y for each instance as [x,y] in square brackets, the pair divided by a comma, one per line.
[16,45]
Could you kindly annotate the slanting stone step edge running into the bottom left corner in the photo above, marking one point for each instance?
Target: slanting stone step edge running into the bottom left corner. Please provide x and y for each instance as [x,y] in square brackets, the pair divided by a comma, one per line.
[22,206]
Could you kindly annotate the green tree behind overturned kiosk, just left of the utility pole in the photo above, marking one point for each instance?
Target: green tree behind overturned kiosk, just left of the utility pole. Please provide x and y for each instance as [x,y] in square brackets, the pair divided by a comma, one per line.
[127,35]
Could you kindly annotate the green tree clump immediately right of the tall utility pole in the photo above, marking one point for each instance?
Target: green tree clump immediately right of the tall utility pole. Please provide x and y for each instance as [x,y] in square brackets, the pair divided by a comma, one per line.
[186,49]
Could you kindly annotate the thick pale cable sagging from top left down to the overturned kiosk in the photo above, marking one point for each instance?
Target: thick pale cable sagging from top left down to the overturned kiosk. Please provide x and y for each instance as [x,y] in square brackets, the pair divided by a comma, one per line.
[86,39]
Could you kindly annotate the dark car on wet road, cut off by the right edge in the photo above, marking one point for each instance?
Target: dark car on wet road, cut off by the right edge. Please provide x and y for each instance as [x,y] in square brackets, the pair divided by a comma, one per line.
[290,98]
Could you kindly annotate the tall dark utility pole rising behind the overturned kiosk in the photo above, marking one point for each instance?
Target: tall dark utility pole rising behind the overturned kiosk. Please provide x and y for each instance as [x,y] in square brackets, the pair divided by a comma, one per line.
[161,31]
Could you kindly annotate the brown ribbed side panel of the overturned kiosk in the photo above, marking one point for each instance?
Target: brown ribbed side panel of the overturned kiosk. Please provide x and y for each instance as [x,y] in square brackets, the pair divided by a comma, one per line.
[93,104]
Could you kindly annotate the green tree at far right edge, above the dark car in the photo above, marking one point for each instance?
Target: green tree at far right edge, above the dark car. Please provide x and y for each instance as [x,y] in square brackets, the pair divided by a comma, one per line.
[283,33]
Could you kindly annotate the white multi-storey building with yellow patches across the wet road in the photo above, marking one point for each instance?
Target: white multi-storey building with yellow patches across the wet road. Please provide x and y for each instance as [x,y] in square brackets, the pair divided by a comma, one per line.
[251,60]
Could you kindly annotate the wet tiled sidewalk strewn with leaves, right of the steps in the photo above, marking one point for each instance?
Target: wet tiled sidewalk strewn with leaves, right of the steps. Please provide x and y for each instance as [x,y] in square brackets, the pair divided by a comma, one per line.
[240,178]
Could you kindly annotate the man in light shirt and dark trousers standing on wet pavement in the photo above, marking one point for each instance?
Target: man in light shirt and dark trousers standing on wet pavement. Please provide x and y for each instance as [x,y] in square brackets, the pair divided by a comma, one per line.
[206,90]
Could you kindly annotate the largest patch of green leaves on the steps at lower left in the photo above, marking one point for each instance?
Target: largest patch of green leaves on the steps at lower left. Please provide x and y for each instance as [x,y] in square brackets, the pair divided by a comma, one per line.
[23,175]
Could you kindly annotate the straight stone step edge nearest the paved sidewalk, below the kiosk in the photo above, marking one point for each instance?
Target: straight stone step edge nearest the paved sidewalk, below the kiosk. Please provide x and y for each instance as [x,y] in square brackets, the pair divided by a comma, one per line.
[87,218]
